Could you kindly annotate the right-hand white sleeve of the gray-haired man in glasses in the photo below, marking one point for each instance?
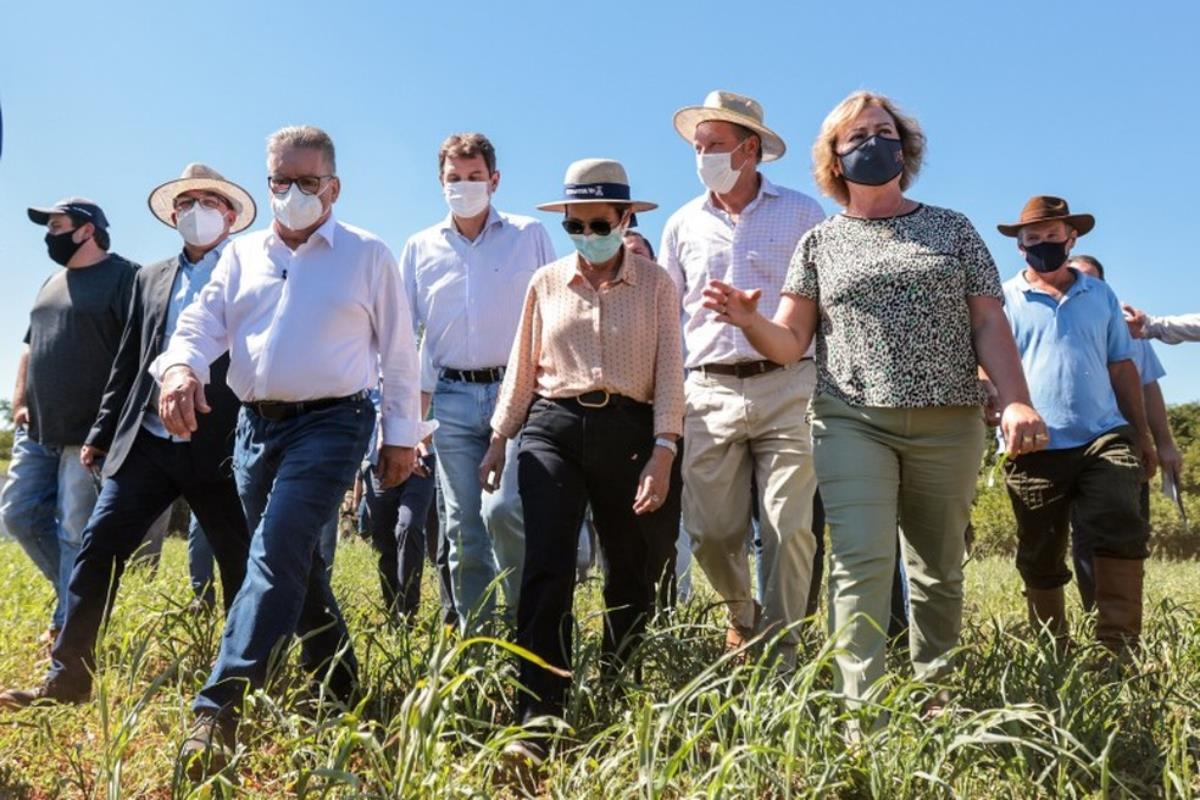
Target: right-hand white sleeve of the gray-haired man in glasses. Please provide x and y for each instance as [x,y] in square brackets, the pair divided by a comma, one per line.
[401,398]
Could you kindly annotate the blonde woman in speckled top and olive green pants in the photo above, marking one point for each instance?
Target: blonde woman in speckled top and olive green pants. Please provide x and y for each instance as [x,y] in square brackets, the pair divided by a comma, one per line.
[905,302]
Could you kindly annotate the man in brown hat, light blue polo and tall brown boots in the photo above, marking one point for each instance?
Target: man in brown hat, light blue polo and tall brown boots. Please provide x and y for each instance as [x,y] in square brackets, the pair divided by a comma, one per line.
[1077,354]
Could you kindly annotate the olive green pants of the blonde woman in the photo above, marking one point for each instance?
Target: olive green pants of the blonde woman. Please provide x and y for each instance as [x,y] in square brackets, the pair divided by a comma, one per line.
[879,468]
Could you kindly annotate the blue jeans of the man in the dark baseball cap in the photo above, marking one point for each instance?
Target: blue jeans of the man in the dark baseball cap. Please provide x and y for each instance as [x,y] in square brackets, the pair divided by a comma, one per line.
[45,507]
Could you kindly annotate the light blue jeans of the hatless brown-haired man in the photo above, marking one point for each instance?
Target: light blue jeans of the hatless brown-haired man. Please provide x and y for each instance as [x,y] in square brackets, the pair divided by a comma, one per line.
[484,532]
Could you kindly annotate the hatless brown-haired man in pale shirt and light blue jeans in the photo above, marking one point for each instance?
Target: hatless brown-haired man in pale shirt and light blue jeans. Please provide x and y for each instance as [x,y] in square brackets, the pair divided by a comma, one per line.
[466,279]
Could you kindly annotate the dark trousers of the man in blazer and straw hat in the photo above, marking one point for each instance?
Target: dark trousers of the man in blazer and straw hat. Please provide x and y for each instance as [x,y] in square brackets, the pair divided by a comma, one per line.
[155,474]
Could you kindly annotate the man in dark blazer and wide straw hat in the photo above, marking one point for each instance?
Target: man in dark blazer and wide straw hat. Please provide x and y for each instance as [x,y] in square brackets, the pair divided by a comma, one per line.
[146,470]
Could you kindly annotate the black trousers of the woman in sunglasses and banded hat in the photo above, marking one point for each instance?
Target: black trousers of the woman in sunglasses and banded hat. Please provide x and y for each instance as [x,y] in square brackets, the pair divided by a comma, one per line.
[572,456]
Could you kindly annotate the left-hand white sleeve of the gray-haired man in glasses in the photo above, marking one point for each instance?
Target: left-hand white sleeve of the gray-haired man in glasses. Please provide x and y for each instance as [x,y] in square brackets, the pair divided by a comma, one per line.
[202,334]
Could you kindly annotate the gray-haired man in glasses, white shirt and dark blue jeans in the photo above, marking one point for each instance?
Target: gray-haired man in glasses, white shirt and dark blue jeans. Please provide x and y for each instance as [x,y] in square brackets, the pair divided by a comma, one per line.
[313,312]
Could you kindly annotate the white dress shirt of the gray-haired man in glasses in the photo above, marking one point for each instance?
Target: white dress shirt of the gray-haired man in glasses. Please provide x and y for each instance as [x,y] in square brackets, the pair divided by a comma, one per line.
[325,321]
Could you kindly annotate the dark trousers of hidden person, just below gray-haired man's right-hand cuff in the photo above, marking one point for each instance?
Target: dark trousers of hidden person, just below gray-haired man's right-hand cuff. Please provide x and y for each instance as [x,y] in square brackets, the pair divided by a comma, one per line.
[397,520]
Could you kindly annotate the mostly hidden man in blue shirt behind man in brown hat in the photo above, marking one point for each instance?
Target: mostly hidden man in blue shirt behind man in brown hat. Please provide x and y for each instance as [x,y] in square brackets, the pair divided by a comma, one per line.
[1150,370]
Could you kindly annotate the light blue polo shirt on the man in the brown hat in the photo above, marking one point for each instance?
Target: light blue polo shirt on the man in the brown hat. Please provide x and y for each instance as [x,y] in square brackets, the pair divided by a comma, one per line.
[1066,350]
